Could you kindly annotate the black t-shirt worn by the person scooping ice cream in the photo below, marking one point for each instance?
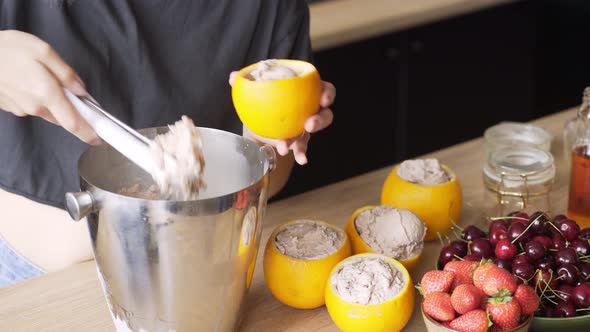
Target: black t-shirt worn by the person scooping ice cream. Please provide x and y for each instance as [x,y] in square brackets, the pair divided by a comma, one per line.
[147,62]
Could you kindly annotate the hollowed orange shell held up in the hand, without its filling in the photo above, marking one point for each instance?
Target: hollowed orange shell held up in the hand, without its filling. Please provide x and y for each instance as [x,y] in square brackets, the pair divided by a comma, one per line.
[277,108]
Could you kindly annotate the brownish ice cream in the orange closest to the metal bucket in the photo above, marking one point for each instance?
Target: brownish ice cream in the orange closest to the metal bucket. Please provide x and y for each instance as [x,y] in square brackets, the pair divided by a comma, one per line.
[308,240]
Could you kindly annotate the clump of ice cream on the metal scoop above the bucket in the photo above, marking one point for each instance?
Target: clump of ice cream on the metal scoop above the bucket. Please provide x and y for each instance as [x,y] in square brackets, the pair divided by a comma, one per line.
[183,179]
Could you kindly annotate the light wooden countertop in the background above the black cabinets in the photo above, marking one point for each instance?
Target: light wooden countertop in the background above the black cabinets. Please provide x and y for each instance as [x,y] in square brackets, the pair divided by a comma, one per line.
[337,22]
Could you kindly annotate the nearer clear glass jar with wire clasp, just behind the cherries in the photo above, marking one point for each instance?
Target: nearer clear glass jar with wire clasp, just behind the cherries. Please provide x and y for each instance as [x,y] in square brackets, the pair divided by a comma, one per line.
[518,178]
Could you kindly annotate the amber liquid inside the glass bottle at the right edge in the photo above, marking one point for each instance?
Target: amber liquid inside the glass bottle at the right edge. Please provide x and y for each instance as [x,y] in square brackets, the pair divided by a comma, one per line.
[579,194]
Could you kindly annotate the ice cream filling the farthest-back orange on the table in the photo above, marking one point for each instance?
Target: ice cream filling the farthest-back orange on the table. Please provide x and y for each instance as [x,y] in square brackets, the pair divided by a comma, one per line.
[425,172]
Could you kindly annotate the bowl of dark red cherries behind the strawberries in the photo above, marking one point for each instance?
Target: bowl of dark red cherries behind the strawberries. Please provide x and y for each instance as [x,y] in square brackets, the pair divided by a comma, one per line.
[549,253]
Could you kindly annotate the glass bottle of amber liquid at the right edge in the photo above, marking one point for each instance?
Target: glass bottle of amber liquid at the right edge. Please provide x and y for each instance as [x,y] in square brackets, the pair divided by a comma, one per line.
[579,189]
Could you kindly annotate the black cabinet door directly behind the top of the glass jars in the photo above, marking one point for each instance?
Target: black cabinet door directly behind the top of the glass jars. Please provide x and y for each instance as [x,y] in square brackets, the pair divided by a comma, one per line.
[466,74]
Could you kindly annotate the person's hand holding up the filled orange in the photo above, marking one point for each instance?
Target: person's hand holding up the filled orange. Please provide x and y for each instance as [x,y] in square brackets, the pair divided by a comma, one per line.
[314,123]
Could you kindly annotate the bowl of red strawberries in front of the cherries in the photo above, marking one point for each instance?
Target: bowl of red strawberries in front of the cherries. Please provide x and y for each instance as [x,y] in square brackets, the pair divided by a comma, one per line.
[475,296]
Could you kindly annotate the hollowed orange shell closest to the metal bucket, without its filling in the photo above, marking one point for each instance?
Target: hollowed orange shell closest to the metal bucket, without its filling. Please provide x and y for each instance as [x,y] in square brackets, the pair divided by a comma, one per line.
[300,283]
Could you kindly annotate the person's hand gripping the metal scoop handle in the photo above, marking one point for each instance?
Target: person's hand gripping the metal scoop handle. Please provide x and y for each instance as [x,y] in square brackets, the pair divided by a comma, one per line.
[32,78]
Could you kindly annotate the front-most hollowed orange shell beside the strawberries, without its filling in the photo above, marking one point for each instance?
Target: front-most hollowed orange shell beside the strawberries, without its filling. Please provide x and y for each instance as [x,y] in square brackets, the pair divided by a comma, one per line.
[391,315]
